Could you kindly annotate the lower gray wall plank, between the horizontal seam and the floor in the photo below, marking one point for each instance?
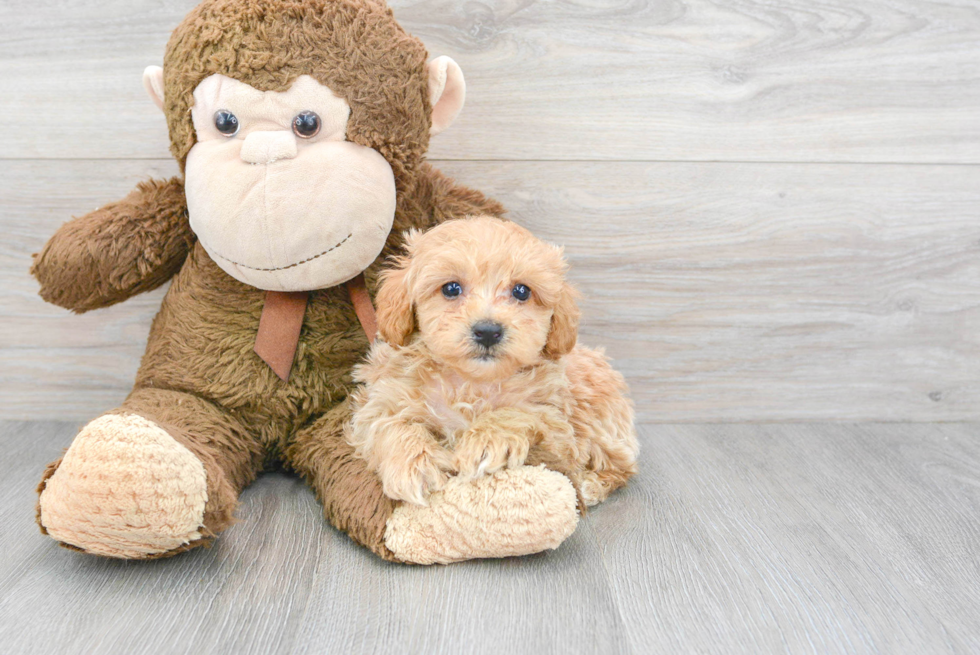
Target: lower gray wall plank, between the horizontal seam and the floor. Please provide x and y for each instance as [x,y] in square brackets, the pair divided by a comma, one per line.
[724,292]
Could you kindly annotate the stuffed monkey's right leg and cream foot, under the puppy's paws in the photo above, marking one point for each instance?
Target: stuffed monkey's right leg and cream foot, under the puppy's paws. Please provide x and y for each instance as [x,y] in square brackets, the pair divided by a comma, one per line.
[513,512]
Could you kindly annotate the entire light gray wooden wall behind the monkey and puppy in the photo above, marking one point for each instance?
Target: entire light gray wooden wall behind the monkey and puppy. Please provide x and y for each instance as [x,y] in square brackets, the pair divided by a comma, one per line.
[772,208]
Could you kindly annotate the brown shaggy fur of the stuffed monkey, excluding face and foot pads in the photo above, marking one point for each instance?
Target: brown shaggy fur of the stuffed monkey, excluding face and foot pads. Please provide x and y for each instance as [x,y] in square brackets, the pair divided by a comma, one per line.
[200,379]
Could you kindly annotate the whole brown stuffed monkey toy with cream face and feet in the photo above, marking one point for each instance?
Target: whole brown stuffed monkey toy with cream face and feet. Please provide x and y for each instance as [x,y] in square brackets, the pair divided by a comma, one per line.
[300,127]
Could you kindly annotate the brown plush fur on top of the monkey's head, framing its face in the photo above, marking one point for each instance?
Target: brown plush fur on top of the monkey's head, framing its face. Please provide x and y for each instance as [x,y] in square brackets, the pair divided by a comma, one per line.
[352,46]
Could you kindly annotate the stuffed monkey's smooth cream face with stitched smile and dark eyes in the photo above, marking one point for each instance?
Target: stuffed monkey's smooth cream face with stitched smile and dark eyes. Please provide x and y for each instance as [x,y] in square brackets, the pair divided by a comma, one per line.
[277,196]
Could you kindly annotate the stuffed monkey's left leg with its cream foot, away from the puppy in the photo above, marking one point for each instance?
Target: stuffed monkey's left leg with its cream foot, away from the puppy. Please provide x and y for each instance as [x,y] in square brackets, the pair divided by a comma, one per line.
[157,476]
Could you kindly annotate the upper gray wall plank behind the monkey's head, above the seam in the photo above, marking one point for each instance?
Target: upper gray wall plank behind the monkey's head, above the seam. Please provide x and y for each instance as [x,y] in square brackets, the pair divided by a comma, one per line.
[690,80]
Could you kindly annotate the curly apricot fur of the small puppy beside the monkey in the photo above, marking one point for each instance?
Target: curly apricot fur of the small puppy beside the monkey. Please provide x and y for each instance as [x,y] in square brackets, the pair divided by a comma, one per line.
[437,403]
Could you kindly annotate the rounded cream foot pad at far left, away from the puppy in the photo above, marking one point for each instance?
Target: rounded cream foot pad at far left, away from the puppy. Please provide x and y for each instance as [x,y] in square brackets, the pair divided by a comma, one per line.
[125,488]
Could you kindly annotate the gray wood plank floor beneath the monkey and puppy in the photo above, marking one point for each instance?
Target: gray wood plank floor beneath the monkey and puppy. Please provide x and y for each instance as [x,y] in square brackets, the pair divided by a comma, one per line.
[831,538]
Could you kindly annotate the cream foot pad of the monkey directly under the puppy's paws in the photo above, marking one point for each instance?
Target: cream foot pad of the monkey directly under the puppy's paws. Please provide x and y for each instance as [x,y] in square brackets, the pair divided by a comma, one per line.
[513,512]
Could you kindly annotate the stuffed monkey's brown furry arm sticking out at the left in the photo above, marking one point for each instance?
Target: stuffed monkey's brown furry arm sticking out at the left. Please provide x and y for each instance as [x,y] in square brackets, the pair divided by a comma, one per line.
[125,248]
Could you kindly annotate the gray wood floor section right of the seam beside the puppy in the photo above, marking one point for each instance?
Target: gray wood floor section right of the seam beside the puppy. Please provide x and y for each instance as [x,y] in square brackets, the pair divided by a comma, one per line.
[795,538]
